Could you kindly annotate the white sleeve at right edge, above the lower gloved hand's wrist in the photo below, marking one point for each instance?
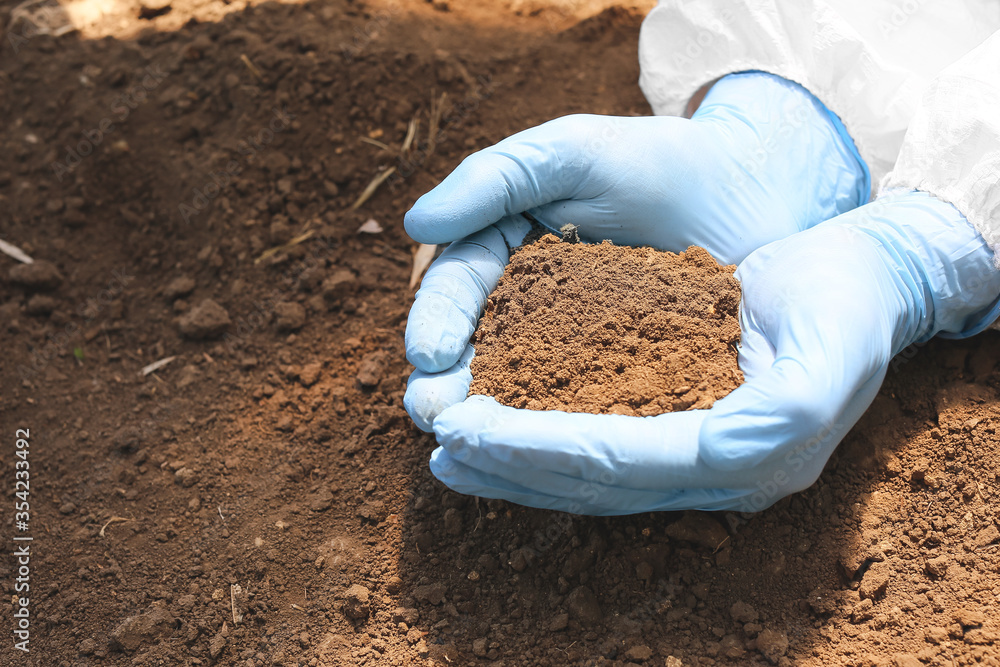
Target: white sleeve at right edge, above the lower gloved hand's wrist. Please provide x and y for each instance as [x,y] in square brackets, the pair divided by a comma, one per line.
[952,148]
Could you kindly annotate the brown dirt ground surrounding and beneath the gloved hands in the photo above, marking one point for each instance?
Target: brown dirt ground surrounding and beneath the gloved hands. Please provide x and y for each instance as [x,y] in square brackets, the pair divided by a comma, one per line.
[264,499]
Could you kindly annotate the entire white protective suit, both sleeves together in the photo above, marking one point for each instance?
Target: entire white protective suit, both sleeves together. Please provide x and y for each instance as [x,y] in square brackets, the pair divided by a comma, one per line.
[926,69]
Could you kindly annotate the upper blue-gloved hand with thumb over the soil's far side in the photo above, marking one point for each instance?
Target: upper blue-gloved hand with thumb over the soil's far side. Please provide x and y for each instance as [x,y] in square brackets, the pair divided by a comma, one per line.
[761,159]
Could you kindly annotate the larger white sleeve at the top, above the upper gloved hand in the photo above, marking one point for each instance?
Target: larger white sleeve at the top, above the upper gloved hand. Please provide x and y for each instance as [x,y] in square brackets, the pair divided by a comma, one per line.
[868,61]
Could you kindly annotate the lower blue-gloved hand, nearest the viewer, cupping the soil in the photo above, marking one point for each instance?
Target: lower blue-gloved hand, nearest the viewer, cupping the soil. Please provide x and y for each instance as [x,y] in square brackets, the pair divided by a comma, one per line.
[823,312]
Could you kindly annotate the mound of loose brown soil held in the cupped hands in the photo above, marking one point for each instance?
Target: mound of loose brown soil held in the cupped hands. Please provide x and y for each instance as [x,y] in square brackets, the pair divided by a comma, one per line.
[609,329]
